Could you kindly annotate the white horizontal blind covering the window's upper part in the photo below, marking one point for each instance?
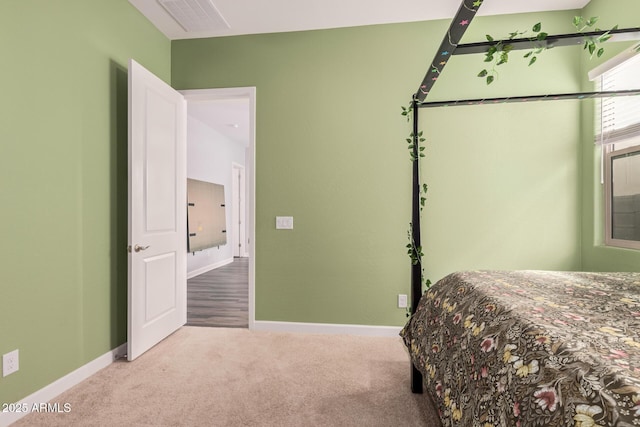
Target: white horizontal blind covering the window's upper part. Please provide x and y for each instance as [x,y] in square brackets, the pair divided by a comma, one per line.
[618,117]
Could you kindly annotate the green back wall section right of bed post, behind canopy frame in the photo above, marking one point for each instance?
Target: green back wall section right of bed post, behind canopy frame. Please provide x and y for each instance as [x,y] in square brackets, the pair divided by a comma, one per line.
[504,187]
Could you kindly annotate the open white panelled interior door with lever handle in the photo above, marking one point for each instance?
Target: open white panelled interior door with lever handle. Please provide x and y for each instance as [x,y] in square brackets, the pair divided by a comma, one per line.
[157,211]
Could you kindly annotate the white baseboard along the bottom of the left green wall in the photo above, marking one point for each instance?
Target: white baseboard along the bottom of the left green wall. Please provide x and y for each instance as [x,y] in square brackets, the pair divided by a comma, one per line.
[61,385]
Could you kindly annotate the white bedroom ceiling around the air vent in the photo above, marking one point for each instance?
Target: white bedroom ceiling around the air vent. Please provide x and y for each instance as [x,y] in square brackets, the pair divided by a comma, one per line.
[274,16]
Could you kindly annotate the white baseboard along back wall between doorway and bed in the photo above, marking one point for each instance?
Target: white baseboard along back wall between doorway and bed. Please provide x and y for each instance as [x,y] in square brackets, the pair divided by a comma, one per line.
[327,328]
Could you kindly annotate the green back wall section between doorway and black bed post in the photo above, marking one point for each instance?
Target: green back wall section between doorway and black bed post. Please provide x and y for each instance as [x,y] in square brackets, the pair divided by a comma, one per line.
[323,157]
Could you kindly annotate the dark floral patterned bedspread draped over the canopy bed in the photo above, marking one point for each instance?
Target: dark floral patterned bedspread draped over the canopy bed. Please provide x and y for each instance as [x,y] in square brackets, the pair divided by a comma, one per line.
[530,348]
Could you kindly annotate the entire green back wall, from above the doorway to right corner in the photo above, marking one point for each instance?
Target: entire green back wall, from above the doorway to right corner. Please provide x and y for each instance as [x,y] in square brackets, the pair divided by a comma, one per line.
[330,151]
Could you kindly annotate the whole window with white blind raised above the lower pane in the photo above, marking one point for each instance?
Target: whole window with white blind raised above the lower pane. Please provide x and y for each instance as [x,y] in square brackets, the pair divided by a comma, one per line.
[618,131]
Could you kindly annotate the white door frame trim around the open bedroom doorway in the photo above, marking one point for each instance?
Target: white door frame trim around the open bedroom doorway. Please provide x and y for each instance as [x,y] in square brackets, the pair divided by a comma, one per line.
[250,168]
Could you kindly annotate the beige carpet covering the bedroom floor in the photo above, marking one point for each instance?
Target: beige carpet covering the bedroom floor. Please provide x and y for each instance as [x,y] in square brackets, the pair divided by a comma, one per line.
[234,377]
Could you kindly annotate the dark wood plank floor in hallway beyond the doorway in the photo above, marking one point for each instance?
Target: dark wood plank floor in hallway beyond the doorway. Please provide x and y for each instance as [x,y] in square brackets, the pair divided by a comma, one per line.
[220,297]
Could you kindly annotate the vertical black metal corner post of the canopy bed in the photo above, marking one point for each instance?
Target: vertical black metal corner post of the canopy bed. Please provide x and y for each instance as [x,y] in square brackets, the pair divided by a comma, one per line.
[416,268]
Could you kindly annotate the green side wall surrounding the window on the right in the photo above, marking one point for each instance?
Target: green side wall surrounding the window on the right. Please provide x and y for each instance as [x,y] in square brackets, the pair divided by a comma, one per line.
[596,256]
